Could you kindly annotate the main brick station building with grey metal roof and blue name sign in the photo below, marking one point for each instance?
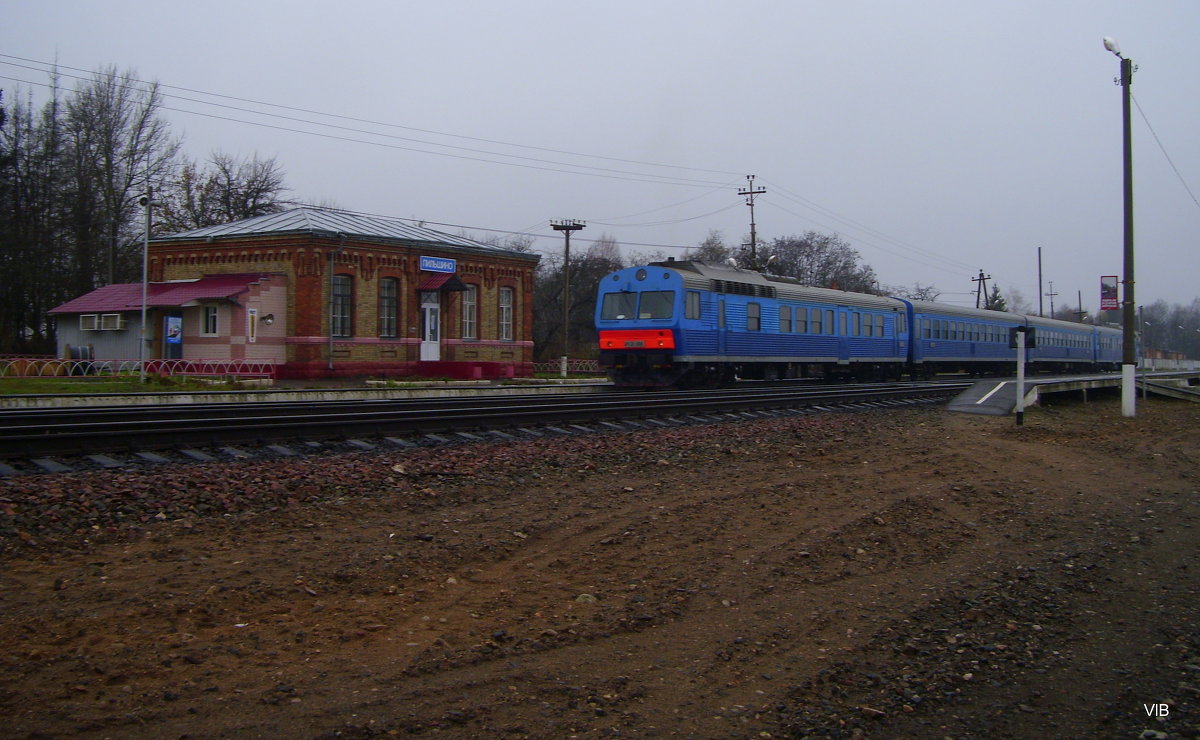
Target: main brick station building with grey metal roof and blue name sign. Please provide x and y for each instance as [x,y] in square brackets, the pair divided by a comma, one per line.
[364,296]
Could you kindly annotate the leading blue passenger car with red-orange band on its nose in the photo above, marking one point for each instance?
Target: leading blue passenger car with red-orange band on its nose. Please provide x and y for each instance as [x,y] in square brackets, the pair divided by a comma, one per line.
[687,322]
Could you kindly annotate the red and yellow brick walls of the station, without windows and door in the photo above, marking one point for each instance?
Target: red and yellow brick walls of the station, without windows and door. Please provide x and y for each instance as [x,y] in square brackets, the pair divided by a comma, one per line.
[307,258]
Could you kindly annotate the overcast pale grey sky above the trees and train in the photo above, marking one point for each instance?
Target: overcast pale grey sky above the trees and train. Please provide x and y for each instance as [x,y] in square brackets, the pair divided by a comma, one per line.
[938,137]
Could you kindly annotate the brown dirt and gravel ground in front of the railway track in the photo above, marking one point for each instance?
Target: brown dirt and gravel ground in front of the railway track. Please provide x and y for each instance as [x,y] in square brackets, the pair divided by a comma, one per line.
[907,574]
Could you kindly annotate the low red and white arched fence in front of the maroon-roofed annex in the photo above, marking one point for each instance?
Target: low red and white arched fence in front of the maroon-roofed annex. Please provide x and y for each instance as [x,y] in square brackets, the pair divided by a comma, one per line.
[49,368]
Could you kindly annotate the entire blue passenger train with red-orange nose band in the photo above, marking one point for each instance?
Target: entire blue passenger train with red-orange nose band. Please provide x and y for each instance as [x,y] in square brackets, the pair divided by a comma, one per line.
[692,323]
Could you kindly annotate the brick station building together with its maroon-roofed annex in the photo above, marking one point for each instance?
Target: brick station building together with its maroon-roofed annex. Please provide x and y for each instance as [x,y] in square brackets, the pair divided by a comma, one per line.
[320,293]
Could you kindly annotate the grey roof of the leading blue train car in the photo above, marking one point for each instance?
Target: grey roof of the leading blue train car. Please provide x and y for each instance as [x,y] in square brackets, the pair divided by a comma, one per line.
[722,279]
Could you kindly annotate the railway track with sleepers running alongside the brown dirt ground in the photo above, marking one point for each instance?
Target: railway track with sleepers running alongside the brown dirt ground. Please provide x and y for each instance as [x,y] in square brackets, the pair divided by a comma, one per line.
[33,440]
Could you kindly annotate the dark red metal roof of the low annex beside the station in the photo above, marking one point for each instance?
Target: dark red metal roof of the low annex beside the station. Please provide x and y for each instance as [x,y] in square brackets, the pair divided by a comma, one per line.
[176,294]
